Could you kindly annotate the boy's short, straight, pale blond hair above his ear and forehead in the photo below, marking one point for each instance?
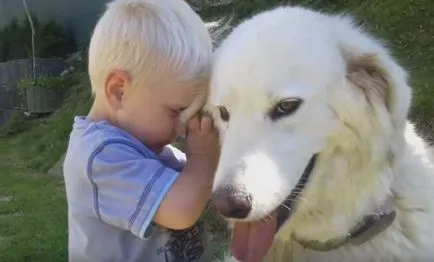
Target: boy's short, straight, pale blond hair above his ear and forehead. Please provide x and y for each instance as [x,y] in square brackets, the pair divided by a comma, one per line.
[138,35]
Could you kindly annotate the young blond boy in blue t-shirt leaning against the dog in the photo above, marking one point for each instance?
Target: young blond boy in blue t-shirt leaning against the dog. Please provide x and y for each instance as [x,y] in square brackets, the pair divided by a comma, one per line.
[131,196]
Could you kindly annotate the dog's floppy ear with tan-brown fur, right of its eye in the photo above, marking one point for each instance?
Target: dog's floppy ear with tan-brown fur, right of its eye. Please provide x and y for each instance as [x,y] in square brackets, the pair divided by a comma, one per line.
[372,69]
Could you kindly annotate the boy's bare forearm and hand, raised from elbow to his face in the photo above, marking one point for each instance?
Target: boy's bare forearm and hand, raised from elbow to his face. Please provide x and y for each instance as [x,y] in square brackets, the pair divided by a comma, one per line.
[186,200]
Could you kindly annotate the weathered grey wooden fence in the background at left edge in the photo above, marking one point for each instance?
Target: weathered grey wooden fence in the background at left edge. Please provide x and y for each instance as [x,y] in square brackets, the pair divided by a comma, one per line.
[12,72]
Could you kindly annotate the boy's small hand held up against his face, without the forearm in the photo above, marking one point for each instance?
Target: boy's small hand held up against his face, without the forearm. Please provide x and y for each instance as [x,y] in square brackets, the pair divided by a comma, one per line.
[202,139]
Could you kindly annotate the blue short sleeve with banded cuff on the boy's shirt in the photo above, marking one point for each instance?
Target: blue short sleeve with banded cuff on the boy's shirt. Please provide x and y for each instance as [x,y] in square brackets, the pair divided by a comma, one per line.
[128,185]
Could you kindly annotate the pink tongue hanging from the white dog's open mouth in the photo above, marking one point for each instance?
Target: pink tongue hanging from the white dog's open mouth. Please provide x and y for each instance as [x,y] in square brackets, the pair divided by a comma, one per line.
[251,240]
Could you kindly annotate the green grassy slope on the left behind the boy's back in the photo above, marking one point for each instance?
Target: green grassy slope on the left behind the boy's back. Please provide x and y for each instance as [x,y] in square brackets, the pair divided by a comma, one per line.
[33,225]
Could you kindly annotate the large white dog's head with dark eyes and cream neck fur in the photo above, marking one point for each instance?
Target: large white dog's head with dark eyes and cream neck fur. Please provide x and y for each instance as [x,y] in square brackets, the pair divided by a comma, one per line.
[290,84]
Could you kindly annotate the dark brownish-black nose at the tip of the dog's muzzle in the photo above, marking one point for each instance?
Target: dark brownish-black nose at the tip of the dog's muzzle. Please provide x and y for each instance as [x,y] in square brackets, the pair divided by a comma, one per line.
[232,202]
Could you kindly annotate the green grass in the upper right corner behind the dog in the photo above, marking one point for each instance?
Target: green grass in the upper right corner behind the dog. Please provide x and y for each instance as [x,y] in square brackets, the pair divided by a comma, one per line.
[407,27]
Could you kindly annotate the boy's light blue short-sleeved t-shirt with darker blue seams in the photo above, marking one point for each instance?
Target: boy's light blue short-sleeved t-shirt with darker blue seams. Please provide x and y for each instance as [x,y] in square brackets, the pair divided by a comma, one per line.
[114,185]
